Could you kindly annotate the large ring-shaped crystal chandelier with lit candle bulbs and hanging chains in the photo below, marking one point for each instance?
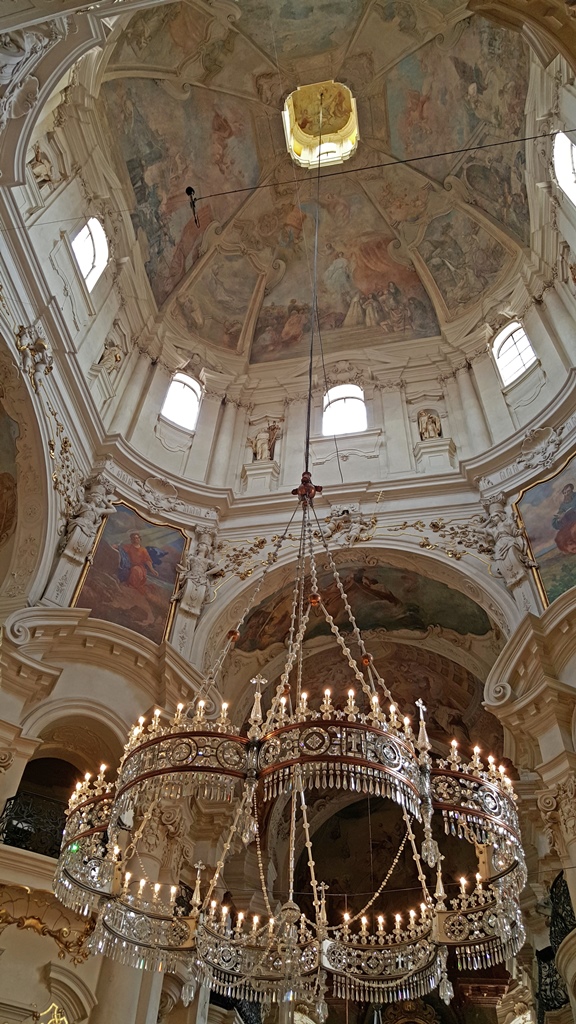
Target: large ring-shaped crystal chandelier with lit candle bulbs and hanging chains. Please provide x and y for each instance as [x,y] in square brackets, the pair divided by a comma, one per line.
[357,742]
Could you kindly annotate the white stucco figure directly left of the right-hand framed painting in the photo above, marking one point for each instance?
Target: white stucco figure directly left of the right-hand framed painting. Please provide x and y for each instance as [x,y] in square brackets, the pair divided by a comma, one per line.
[508,542]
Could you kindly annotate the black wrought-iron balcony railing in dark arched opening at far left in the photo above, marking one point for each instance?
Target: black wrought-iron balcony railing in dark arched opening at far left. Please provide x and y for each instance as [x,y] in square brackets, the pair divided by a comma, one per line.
[33,823]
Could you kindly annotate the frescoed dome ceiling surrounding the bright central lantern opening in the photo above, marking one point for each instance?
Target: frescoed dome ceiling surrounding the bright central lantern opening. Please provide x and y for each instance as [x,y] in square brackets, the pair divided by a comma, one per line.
[193,97]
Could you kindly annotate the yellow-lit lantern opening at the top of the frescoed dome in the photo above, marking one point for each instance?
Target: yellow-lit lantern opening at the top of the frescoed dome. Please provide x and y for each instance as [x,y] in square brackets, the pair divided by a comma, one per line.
[321,124]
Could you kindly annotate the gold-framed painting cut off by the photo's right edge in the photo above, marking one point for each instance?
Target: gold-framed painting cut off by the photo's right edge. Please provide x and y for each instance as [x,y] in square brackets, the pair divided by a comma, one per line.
[548,513]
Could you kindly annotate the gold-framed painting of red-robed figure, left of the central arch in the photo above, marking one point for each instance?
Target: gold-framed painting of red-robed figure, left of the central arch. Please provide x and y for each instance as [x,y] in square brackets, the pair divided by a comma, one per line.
[133,576]
